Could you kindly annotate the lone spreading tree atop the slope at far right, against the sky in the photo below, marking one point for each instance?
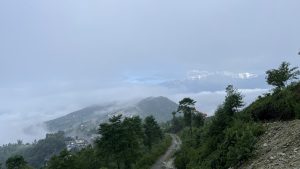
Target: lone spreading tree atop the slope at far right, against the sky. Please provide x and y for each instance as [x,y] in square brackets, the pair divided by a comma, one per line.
[279,77]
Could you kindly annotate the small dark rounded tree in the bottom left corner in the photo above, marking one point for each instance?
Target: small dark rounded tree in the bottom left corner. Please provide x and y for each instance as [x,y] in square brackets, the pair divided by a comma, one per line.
[16,162]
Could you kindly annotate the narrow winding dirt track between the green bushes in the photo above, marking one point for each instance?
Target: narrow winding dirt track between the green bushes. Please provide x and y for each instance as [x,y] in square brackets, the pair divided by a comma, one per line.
[166,161]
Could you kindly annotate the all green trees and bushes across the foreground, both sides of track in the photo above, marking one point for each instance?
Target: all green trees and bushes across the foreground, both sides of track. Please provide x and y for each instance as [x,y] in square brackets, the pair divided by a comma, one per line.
[222,141]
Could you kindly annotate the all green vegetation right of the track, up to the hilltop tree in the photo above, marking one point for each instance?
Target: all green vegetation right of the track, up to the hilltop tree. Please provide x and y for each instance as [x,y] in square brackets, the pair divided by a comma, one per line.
[228,138]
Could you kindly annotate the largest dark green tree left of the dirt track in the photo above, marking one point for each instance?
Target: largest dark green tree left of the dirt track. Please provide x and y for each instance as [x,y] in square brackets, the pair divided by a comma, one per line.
[121,141]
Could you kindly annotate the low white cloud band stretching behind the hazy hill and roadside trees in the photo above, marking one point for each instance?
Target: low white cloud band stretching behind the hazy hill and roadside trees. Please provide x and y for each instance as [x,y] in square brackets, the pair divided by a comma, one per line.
[25,117]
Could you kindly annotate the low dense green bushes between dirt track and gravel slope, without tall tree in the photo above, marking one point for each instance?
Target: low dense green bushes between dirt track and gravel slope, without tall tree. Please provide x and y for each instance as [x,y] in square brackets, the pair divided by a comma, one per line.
[237,145]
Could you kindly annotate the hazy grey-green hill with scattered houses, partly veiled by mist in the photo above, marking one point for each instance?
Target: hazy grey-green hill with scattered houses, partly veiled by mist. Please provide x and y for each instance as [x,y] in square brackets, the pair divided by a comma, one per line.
[85,121]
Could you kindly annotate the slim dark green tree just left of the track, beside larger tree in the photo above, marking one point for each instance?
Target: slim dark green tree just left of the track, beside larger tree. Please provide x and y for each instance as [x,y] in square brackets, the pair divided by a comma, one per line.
[152,132]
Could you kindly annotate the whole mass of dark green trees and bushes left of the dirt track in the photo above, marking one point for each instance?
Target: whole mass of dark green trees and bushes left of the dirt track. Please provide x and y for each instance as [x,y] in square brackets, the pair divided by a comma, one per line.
[120,146]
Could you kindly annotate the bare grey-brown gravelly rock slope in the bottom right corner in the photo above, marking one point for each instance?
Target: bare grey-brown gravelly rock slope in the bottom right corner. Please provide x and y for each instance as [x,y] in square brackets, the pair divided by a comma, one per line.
[278,148]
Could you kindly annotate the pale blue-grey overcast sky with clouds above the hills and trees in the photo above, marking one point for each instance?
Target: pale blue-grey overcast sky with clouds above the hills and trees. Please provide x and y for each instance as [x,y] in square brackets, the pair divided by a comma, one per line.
[58,56]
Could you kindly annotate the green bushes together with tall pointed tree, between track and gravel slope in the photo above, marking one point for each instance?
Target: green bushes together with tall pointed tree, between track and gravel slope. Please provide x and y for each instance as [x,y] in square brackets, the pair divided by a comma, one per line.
[223,141]
